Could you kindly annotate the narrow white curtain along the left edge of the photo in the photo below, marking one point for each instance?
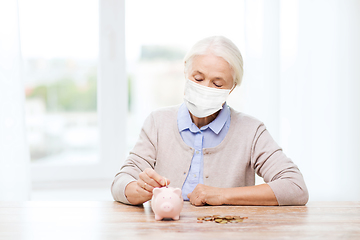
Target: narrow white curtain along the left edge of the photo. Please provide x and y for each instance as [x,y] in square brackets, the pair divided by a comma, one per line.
[14,154]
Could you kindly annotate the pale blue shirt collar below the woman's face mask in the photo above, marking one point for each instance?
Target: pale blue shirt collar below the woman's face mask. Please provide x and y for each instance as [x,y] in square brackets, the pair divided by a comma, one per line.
[185,122]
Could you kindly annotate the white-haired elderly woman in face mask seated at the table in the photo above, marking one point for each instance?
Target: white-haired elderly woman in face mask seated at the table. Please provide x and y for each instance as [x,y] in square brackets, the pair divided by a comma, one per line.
[205,147]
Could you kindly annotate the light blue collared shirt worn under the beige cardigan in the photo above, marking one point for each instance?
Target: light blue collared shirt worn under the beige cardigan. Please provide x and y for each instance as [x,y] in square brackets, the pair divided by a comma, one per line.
[207,136]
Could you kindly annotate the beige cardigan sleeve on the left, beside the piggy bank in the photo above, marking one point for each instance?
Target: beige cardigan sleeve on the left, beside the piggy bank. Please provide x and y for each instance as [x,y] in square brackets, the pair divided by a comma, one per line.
[141,157]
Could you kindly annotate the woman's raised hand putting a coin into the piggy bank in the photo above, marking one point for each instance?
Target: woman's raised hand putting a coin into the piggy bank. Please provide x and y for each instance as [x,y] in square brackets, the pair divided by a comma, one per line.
[141,191]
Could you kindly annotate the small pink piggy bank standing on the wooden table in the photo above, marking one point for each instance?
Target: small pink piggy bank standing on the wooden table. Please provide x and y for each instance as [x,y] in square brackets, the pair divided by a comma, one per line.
[167,202]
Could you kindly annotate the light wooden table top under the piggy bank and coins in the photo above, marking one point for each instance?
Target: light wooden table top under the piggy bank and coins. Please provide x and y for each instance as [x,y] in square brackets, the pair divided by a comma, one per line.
[112,220]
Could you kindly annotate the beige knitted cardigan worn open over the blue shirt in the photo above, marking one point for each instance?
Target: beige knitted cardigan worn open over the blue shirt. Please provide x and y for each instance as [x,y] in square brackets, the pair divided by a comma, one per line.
[247,149]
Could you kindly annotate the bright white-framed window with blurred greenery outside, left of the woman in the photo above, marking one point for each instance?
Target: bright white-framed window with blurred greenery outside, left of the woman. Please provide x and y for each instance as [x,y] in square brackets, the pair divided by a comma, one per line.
[68,99]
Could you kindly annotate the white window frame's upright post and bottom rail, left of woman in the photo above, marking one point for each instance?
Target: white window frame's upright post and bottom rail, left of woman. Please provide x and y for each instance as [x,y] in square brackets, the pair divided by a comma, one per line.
[112,105]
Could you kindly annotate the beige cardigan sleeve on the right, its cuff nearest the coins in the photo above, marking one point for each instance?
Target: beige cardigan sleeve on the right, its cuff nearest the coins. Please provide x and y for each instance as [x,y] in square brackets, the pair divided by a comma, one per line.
[277,170]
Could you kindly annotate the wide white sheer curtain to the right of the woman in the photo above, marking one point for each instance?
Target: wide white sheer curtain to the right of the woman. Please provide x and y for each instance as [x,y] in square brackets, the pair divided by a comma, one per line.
[302,78]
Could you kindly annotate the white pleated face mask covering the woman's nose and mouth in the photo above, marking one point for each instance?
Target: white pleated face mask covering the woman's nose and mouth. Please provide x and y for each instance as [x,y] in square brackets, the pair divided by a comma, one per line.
[203,101]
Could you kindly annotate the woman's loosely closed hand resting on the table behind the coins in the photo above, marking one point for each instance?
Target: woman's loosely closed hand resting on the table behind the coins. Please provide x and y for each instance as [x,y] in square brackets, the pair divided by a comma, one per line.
[203,194]
